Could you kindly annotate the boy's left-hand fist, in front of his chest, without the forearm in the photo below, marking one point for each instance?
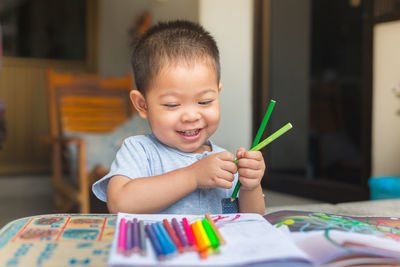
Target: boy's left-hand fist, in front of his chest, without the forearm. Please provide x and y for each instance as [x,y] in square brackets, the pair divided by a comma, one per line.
[215,170]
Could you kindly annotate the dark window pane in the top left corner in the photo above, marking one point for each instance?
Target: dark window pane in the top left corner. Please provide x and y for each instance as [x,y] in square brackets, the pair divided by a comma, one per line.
[44,29]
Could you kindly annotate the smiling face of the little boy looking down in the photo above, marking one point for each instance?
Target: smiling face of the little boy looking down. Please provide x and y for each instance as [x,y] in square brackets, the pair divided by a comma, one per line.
[182,106]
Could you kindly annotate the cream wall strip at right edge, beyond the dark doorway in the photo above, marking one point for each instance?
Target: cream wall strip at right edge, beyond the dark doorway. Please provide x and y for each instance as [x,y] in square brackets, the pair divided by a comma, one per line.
[385,122]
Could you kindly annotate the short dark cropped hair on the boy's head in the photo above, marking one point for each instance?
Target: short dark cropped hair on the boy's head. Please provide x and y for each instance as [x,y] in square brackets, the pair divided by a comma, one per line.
[169,43]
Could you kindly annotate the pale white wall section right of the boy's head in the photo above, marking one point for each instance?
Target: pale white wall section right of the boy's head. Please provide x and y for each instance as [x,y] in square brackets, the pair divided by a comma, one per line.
[231,23]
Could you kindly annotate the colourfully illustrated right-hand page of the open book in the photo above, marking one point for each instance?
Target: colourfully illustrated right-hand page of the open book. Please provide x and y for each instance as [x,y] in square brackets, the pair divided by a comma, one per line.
[338,240]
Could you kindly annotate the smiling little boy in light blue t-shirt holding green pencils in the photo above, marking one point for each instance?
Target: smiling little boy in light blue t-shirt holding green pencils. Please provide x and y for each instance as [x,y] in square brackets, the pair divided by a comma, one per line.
[177,169]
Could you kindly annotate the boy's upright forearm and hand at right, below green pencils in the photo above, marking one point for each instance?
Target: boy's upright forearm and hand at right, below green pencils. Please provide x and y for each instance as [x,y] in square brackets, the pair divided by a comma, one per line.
[251,170]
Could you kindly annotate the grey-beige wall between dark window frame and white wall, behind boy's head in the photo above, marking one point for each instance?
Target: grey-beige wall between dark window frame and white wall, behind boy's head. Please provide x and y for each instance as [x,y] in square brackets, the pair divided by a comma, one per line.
[118,16]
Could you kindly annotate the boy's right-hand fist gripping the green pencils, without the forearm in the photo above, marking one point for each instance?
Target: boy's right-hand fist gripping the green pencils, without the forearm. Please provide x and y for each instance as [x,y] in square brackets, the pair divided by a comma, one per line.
[251,168]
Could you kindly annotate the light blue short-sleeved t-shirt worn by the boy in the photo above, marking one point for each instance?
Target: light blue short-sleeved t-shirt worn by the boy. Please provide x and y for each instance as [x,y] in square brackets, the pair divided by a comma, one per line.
[145,156]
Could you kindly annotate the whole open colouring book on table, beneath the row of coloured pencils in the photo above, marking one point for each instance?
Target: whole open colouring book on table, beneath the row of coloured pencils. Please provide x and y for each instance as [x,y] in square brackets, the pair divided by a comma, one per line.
[292,237]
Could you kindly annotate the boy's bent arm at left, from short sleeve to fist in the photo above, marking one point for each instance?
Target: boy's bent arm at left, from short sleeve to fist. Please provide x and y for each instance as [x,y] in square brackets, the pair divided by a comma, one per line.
[152,194]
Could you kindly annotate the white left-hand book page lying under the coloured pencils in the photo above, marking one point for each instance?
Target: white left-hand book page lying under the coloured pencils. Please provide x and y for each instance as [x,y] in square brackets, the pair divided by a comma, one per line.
[249,239]
